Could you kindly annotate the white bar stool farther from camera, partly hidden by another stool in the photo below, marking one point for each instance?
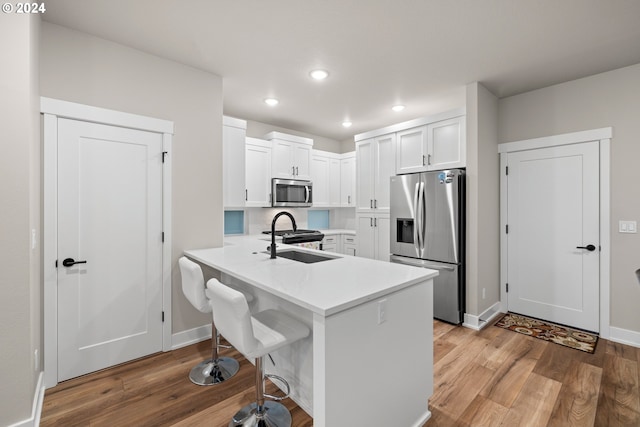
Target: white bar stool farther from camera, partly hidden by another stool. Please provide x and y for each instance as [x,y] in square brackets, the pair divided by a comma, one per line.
[217,369]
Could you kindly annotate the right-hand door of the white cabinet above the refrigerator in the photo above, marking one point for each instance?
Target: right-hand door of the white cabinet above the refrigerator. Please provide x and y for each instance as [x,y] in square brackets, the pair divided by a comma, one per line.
[446,142]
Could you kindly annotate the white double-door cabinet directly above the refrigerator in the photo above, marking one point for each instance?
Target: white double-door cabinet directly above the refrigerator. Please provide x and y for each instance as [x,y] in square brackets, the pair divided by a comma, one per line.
[435,146]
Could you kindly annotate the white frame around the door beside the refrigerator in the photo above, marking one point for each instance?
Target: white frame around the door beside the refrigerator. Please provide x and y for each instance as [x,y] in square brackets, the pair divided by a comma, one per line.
[603,136]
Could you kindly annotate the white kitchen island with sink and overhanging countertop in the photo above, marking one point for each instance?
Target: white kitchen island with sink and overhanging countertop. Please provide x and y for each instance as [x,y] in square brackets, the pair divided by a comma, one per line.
[369,358]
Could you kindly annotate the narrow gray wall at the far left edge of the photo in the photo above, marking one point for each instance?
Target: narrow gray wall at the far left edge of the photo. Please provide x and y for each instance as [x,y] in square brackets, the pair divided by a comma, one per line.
[20,322]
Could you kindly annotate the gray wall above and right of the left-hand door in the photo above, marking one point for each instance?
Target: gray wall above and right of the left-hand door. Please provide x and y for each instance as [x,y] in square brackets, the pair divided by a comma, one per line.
[81,68]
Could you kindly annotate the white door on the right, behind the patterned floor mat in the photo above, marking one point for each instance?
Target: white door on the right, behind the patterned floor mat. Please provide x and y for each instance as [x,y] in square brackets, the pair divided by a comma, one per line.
[553,210]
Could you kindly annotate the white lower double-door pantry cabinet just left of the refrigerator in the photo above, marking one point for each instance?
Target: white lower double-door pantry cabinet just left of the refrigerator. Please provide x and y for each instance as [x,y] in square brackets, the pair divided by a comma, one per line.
[374,234]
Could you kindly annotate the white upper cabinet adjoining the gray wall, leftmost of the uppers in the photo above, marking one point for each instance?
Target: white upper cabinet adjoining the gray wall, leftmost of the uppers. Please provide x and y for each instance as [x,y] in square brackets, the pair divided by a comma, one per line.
[233,161]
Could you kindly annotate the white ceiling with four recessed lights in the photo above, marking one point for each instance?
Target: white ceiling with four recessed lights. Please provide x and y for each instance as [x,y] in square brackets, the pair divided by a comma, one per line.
[419,53]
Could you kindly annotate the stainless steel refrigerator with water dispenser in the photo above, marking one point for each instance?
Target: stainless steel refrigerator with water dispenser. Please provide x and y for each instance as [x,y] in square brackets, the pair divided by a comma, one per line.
[428,230]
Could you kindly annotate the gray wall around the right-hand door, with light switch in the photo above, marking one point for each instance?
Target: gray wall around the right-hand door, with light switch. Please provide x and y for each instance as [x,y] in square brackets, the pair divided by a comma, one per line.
[602,100]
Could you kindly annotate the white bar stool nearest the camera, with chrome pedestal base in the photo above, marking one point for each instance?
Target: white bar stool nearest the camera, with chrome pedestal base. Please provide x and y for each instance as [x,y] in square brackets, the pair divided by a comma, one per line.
[255,336]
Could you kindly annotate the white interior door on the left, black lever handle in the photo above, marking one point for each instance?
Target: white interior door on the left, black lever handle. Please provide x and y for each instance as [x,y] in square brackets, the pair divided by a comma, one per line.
[109,215]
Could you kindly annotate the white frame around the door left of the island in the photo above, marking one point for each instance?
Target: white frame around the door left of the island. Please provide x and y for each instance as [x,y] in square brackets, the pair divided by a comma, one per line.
[52,110]
